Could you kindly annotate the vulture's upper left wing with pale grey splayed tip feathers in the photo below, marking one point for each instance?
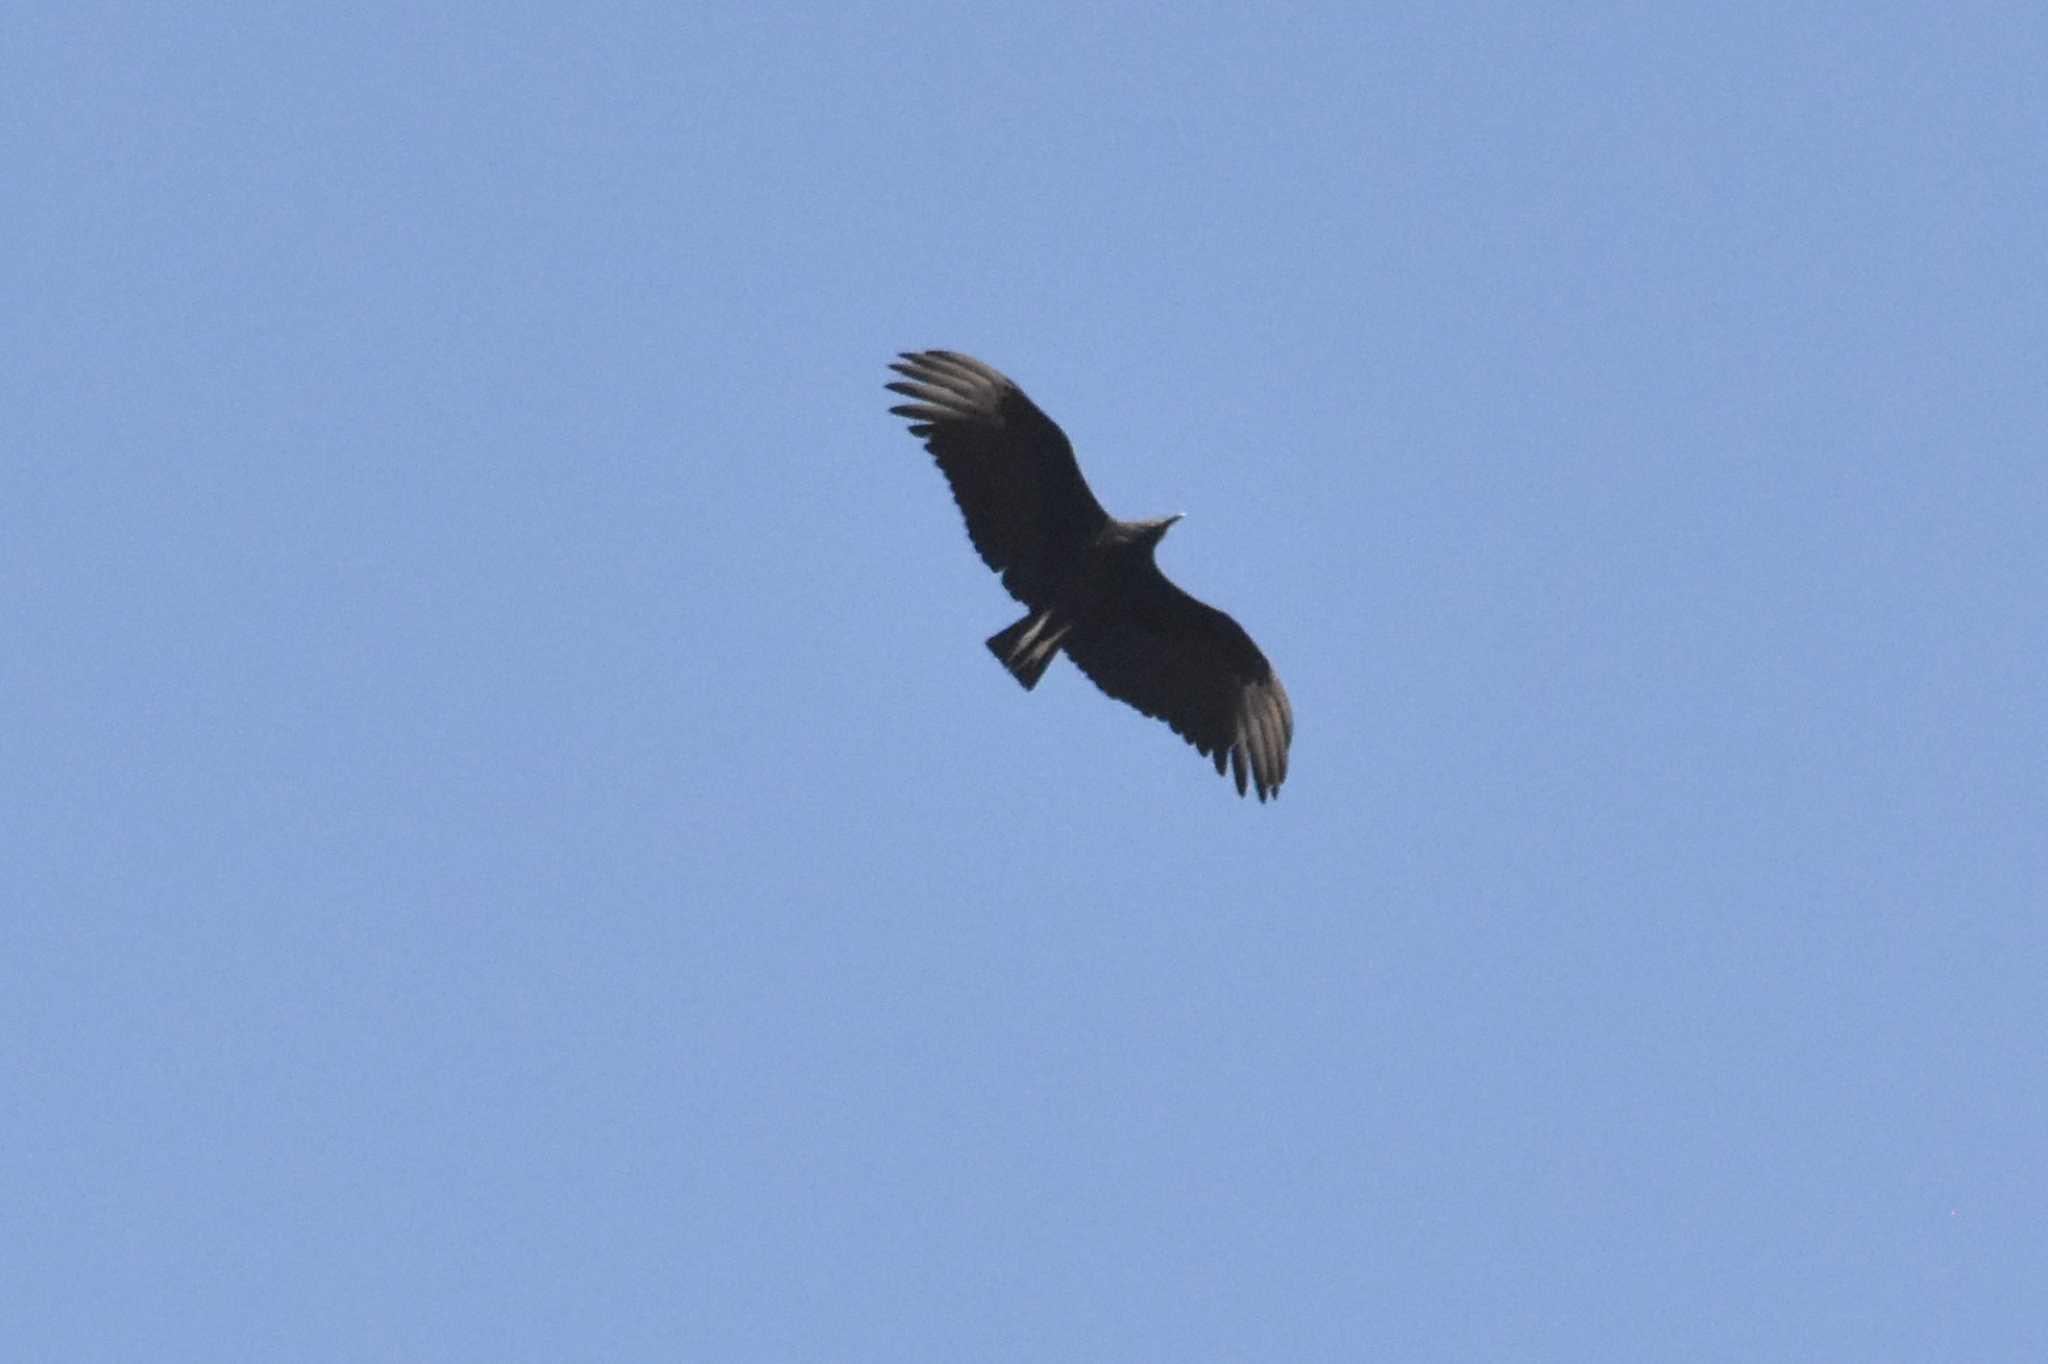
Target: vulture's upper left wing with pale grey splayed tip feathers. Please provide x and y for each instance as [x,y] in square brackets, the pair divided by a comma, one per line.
[1027,507]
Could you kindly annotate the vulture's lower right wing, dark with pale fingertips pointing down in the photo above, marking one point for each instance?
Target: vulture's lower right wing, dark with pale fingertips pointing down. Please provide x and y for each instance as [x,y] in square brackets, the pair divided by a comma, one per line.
[1189,665]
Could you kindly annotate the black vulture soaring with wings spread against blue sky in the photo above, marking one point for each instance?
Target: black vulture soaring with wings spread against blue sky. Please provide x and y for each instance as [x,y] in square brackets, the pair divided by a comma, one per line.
[1089,579]
